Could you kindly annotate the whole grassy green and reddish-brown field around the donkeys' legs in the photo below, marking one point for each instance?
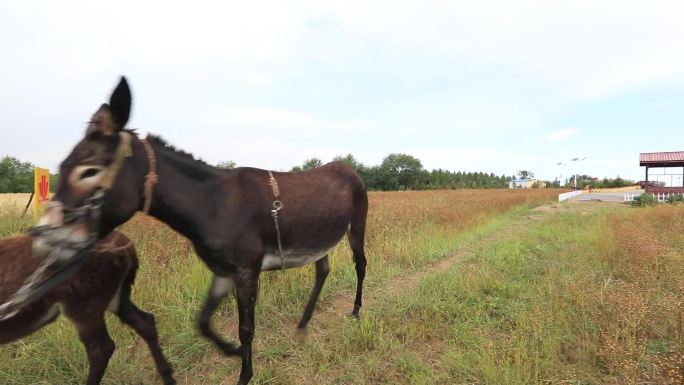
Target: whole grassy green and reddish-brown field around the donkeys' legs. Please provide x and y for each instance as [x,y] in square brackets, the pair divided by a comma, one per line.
[463,287]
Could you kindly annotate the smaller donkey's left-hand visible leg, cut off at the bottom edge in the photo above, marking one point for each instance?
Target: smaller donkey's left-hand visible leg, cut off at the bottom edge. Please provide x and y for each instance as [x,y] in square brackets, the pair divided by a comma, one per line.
[99,346]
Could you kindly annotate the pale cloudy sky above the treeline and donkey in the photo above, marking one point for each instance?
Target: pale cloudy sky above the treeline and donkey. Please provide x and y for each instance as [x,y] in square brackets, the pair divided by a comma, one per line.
[492,86]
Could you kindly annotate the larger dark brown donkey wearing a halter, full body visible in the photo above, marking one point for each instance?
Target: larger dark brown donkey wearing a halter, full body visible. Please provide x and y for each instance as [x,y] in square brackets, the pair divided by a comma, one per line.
[227,215]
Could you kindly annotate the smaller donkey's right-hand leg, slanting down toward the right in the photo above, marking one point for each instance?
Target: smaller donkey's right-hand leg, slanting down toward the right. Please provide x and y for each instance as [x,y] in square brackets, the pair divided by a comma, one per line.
[143,323]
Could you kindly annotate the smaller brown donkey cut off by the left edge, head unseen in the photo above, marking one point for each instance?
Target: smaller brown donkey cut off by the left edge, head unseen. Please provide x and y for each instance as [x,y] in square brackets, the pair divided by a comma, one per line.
[102,283]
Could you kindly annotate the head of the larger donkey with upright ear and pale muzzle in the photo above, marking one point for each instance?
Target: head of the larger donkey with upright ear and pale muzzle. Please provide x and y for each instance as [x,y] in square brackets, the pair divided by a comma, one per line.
[109,160]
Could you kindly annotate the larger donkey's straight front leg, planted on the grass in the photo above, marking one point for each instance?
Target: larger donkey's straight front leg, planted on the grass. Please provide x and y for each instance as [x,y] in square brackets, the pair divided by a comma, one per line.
[247,287]
